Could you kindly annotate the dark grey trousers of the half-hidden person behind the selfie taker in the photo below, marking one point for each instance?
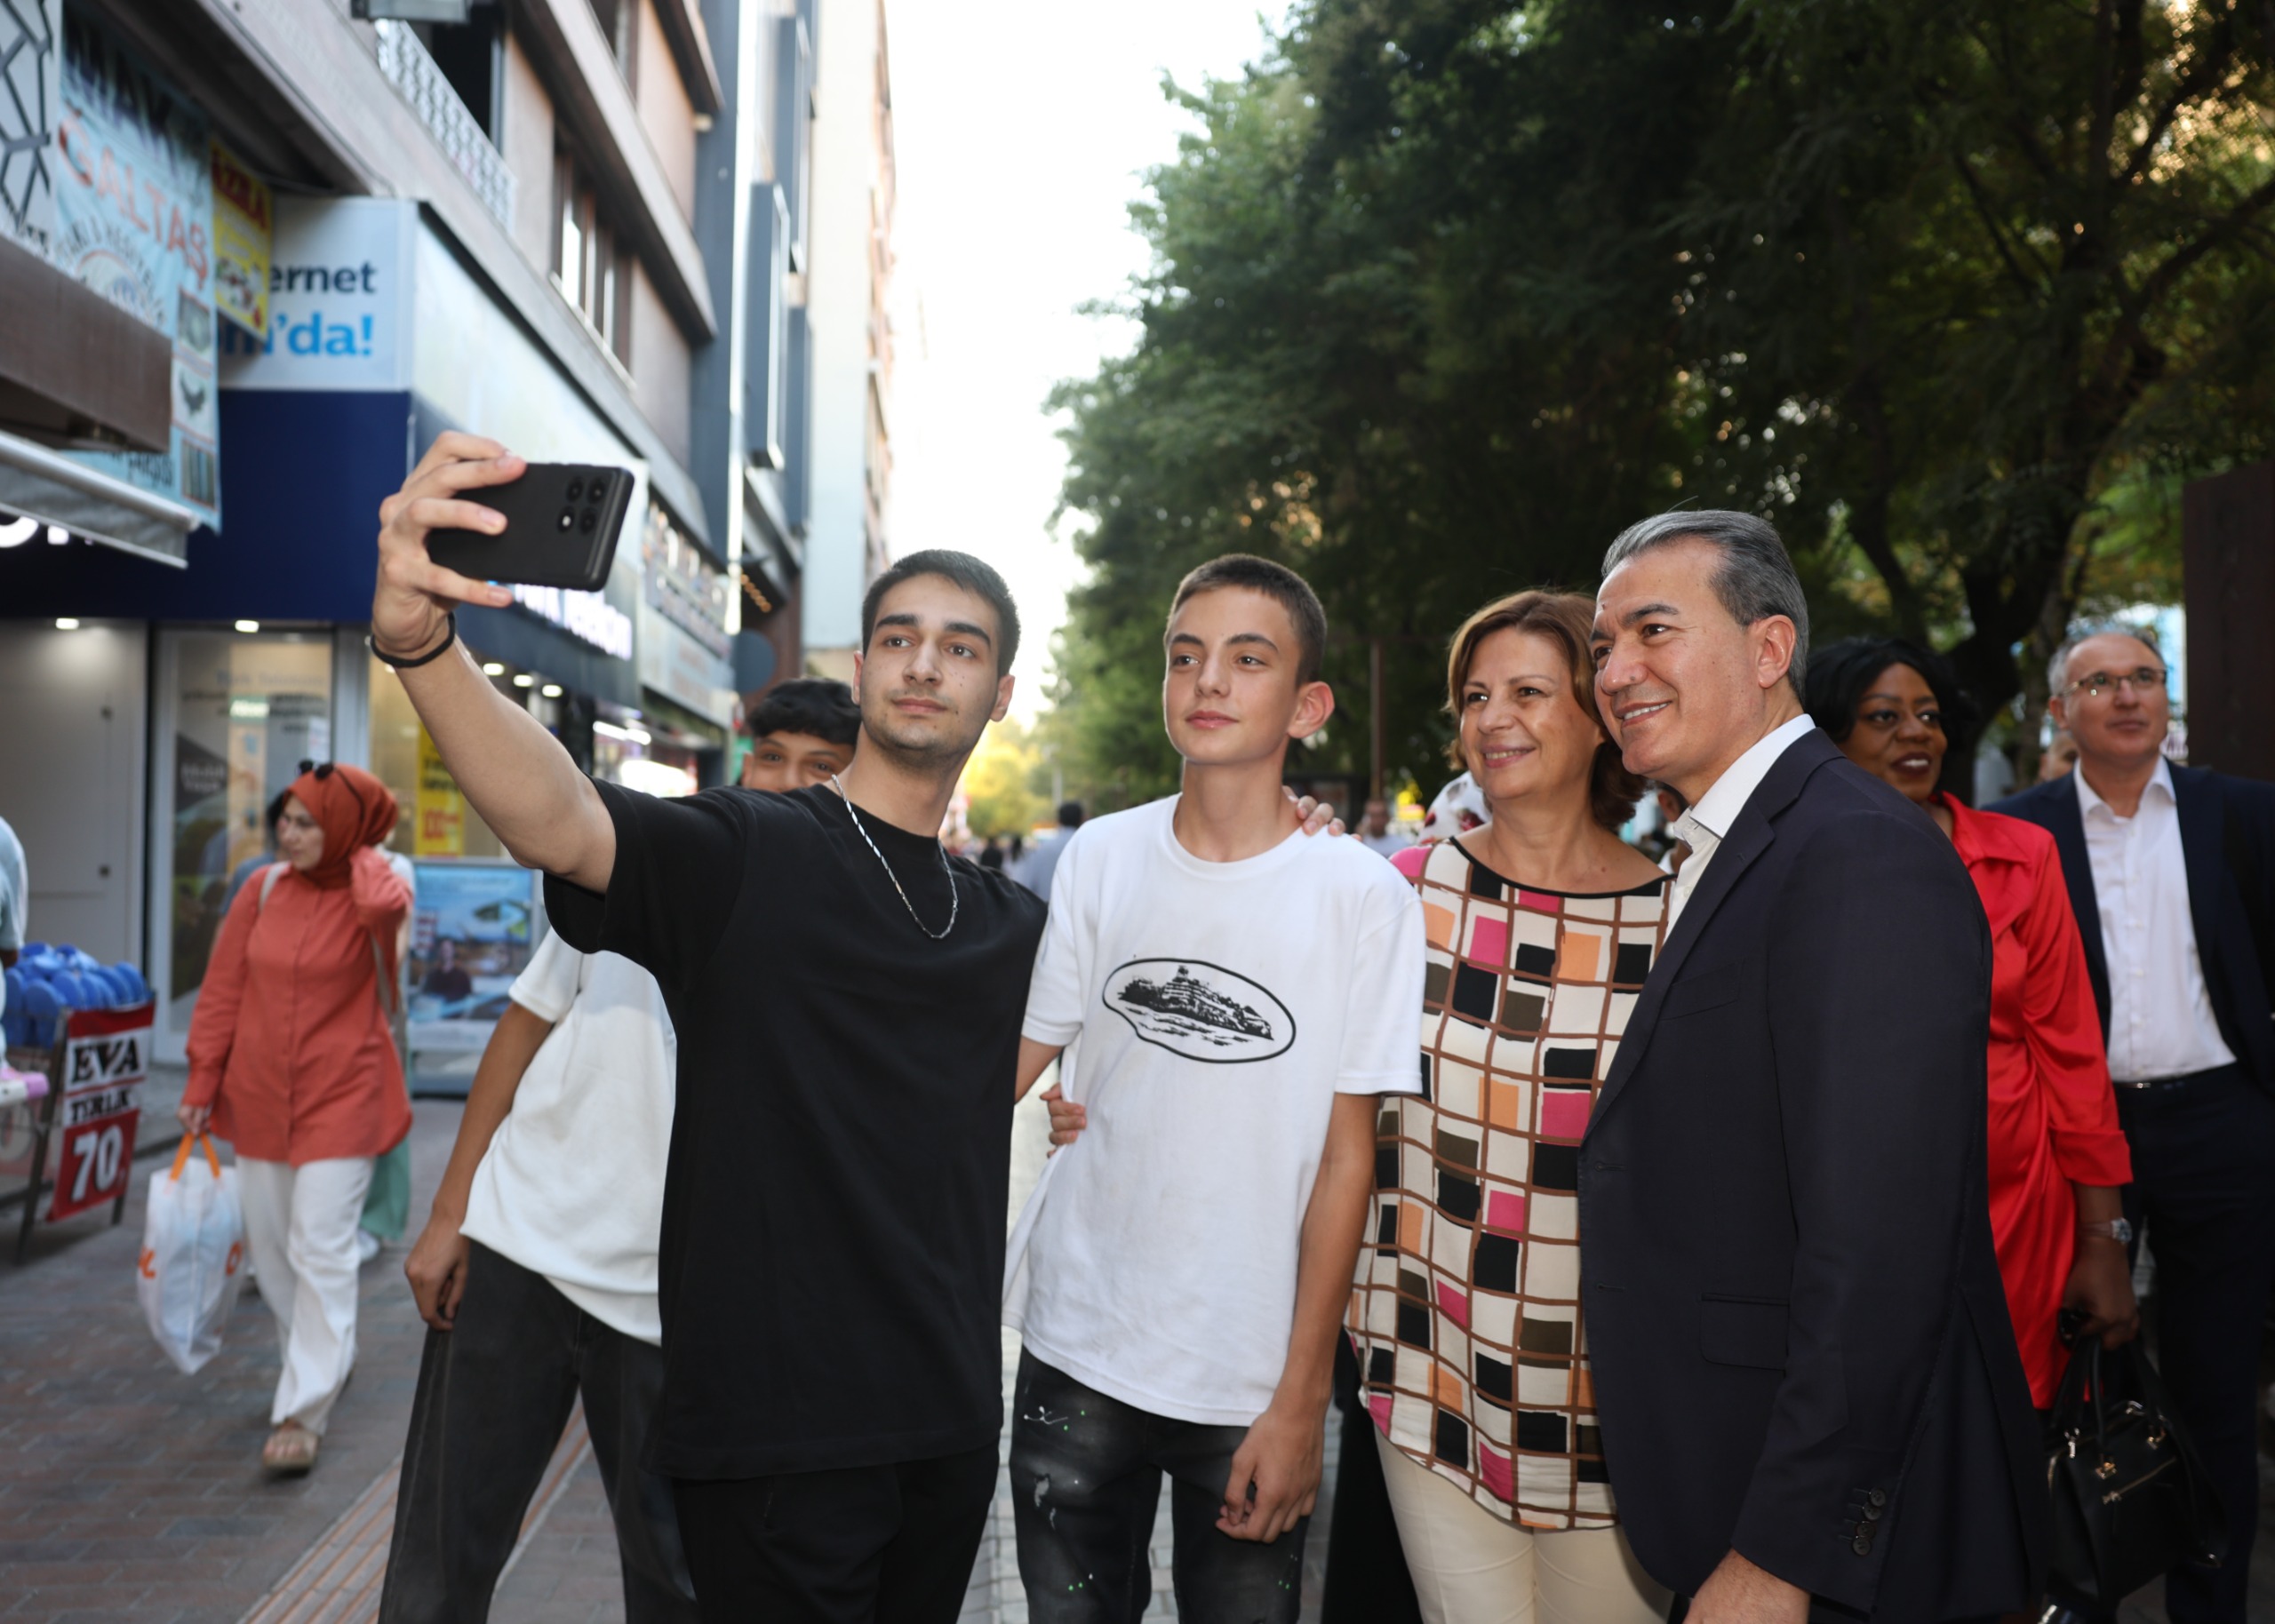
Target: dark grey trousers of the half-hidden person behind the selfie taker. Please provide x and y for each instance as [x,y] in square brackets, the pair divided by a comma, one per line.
[493,1402]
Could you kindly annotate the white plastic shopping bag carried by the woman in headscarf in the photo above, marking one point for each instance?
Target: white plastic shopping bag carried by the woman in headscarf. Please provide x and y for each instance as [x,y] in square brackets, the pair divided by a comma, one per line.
[195,1254]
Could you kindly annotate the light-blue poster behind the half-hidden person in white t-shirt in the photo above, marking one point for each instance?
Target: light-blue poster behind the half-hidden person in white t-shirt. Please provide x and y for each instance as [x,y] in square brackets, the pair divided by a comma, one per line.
[474,927]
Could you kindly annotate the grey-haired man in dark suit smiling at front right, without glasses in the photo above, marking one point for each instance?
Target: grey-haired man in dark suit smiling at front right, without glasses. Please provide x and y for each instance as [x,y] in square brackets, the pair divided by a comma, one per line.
[1805,1370]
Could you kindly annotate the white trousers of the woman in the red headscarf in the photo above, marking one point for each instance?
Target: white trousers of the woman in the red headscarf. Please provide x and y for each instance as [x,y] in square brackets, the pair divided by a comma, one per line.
[301,1234]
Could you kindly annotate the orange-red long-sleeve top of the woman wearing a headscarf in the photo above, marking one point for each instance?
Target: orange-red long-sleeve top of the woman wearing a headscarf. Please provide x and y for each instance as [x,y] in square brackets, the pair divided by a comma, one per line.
[290,1043]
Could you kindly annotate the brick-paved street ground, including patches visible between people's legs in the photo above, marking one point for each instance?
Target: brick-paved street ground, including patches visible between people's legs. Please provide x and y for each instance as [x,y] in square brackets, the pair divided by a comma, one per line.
[135,1493]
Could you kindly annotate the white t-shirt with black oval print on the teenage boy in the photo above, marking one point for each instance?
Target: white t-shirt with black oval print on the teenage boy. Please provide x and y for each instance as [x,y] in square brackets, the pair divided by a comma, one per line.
[1209,1016]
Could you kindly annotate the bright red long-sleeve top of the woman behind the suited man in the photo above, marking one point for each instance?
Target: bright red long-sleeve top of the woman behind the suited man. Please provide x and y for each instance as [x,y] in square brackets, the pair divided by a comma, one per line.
[2053,1111]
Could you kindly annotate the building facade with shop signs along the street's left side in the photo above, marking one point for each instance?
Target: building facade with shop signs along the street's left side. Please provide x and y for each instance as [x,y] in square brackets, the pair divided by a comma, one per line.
[281,247]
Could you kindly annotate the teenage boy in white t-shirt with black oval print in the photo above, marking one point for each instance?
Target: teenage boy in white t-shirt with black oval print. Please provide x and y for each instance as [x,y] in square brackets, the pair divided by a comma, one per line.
[1227,1000]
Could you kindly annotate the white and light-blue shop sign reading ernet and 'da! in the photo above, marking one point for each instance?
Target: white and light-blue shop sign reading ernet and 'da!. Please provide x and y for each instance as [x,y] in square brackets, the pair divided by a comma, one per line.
[340,297]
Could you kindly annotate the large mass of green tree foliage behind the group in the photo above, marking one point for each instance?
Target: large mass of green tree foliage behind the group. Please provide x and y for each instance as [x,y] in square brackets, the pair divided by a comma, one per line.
[1448,292]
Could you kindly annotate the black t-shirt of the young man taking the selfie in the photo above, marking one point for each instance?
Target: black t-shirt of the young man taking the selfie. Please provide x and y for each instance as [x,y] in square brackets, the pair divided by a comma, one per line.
[841,1150]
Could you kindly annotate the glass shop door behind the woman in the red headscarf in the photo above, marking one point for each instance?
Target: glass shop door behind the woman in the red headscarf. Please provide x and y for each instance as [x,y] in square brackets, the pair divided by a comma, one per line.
[238,713]
